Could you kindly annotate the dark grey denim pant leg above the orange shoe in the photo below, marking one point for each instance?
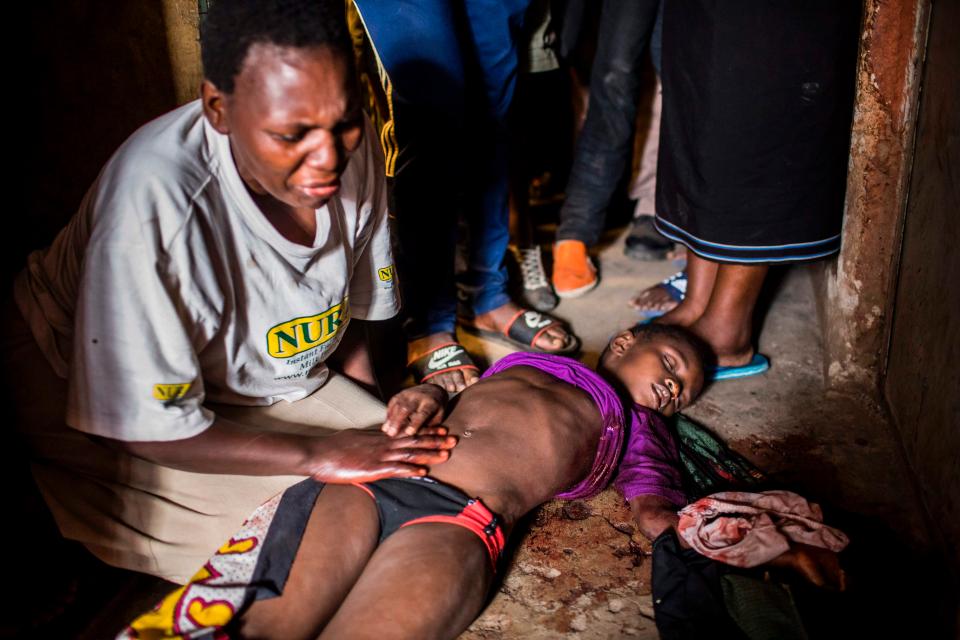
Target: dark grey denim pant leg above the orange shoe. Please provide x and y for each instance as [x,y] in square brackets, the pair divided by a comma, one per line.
[606,142]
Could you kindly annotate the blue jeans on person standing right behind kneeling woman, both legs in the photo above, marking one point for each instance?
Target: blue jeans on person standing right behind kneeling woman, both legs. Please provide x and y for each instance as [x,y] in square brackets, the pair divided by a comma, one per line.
[452,68]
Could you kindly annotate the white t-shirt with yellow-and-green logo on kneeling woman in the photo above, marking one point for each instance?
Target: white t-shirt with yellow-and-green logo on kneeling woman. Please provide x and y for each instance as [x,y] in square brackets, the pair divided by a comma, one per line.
[169,287]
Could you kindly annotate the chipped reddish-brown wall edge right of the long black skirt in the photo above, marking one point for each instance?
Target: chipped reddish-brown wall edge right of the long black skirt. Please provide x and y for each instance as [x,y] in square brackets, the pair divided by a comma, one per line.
[855,300]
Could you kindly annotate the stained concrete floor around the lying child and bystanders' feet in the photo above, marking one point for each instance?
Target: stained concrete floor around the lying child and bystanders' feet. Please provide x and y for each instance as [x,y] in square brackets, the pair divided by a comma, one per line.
[582,571]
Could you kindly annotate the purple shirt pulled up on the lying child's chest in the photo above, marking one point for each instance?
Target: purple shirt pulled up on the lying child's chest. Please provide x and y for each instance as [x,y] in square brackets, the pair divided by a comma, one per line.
[642,443]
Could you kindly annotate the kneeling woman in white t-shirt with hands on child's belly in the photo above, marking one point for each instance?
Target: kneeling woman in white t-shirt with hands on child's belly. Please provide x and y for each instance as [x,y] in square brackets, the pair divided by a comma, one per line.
[172,344]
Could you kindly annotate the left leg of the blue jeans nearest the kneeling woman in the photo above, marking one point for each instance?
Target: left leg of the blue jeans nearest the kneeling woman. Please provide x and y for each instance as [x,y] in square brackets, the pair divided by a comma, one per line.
[418,45]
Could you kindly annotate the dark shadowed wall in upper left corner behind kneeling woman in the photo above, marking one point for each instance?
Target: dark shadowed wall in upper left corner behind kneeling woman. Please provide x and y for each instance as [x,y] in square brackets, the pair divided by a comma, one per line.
[91,73]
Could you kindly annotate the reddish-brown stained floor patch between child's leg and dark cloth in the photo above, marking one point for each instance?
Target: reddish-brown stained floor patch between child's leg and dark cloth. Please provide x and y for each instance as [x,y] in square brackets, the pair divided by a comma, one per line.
[582,571]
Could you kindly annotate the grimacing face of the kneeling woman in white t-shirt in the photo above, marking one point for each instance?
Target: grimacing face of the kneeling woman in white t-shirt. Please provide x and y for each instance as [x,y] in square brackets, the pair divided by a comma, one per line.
[293,120]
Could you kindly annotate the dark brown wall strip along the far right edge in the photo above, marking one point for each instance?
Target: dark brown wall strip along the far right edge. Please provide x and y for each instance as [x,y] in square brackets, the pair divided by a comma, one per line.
[922,383]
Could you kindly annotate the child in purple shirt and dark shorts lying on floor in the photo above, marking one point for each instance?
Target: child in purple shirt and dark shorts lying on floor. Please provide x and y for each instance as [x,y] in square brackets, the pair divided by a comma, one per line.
[415,557]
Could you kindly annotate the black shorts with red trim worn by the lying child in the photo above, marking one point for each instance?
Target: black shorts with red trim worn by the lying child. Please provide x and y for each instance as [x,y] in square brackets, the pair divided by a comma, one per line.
[402,502]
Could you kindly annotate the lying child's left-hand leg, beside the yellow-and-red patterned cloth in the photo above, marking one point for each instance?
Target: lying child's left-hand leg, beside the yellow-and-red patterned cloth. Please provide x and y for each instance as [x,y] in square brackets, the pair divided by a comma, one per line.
[340,537]
